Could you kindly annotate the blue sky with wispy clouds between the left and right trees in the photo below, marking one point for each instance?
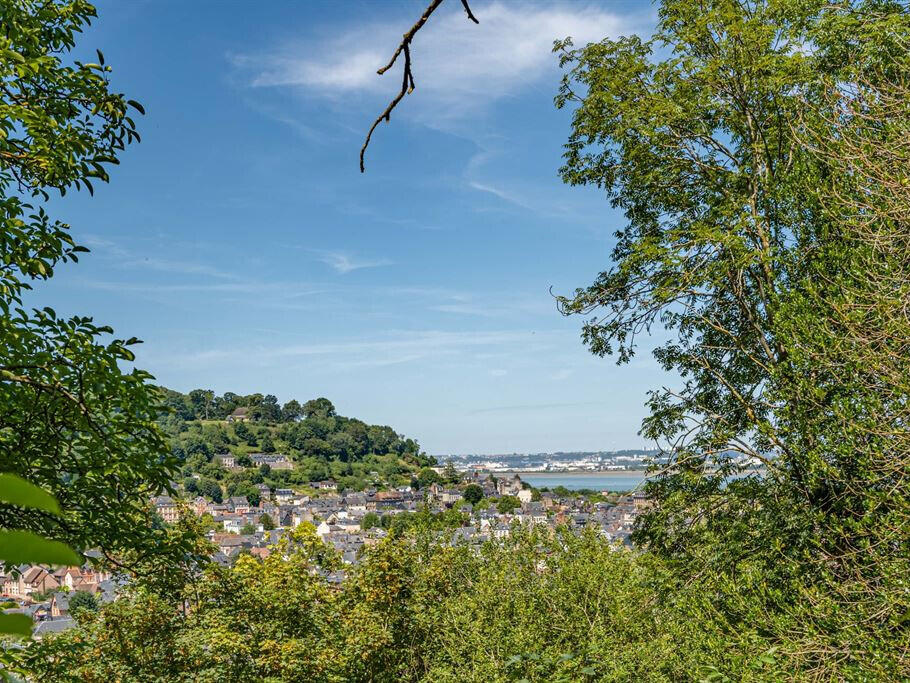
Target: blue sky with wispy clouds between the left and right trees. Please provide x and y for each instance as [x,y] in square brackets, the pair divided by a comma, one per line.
[241,243]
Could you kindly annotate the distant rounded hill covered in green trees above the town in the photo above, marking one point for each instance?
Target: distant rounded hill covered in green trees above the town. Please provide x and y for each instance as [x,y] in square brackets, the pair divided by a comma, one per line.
[320,443]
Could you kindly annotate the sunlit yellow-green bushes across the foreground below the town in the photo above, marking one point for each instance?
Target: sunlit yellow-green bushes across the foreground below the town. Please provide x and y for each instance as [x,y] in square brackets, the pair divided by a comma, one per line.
[422,611]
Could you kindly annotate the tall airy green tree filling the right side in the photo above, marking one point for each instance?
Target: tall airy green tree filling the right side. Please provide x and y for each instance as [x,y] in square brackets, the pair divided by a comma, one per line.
[759,237]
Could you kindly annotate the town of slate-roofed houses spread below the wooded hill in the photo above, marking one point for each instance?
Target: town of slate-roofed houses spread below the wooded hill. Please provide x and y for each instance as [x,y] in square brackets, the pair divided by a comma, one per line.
[471,507]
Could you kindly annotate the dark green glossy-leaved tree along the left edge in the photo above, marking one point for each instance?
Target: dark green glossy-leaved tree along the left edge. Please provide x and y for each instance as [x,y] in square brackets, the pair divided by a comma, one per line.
[72,419]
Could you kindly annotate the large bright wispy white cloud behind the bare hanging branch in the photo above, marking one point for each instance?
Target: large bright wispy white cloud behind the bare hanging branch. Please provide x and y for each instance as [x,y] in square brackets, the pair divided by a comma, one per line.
[456,62]
